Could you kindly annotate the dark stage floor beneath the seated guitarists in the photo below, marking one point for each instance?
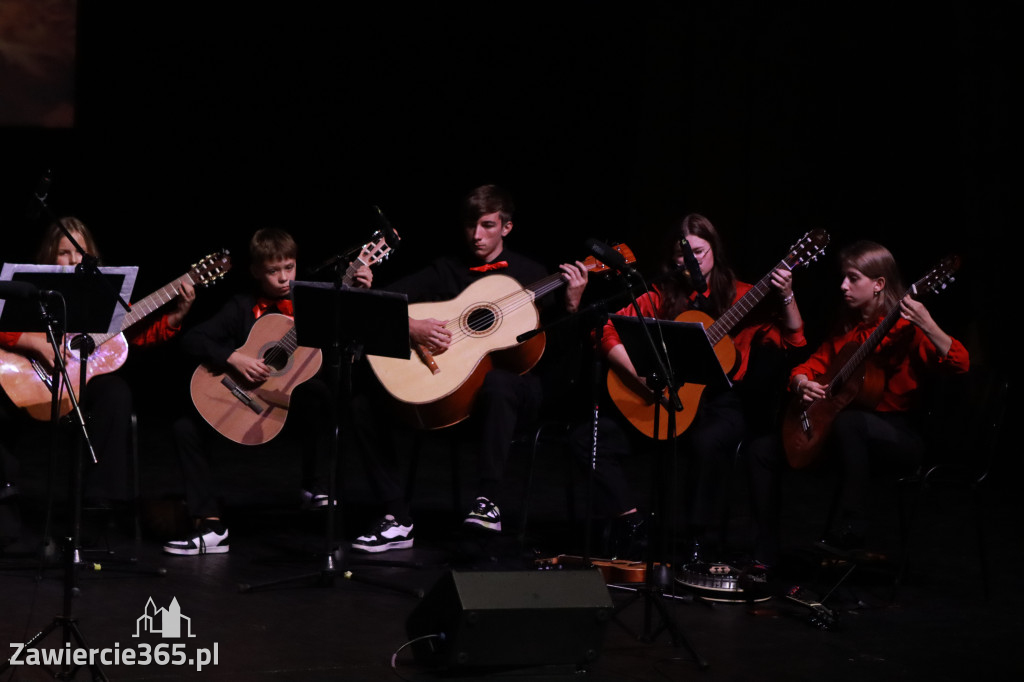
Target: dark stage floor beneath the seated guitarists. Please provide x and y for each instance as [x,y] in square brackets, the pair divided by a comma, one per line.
[940,627]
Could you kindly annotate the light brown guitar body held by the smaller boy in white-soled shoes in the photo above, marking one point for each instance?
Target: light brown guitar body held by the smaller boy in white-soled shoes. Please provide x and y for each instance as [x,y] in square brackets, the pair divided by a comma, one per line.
[250,414]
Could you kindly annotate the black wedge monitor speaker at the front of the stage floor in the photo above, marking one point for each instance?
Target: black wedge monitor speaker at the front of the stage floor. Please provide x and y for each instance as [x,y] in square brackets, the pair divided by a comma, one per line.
[511,619]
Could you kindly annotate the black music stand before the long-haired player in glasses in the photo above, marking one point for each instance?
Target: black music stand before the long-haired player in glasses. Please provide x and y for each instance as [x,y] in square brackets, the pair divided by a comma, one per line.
[682,342]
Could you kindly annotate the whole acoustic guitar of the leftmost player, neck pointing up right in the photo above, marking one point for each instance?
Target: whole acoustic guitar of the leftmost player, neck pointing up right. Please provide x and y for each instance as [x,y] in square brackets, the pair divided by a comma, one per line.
[28,383]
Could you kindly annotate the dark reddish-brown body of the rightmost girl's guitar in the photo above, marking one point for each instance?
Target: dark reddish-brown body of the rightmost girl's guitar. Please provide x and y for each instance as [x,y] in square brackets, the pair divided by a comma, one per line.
[805,430]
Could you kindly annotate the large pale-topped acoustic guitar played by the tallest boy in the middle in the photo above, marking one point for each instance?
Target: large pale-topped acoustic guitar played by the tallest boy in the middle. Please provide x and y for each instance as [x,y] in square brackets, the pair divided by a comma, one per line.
[485,320]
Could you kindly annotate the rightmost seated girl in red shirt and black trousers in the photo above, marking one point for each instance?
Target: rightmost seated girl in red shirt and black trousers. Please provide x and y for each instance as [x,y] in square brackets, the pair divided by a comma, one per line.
[878,425]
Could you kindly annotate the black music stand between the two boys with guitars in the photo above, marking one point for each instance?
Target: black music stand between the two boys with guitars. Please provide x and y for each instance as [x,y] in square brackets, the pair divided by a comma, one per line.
[346,323]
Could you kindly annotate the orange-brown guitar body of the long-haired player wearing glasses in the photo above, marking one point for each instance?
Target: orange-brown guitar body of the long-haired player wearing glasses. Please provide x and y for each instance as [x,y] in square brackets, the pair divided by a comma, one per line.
[639,412]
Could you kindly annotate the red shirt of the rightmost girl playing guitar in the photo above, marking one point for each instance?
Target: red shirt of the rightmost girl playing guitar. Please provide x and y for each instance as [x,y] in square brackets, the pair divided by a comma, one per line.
[904,355]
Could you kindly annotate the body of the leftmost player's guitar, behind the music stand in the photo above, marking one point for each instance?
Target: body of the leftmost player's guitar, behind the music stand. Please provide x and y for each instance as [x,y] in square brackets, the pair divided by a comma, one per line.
[28,385]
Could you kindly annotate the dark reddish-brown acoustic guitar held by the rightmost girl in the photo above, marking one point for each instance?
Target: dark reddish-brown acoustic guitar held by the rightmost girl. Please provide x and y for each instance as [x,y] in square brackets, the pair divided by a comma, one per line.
[852,379]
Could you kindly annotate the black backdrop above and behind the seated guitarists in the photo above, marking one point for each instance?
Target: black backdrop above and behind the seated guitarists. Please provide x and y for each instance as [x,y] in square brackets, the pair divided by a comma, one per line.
[198,123]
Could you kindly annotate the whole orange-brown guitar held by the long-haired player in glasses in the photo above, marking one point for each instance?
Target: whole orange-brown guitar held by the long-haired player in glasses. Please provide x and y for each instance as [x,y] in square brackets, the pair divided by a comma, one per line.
[639,411]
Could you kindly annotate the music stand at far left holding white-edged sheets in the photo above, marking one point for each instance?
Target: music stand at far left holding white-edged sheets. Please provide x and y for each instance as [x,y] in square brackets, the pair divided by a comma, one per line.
[88,309]
